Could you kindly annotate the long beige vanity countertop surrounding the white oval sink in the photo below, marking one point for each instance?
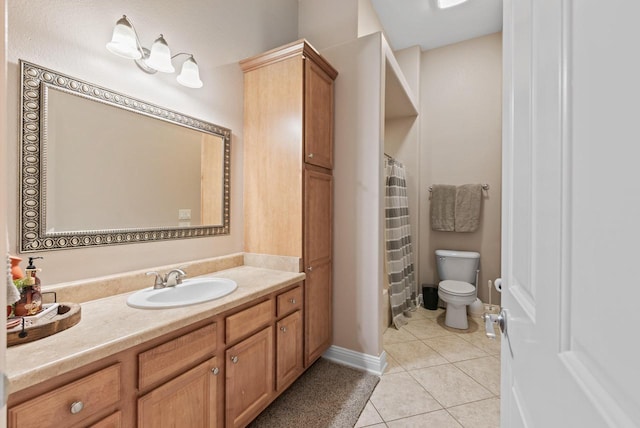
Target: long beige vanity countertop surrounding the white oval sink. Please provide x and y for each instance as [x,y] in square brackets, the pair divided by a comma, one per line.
[109,325]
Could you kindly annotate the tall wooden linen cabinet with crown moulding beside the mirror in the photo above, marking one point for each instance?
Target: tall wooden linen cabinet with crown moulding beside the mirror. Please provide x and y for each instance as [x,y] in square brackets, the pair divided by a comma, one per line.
[288,183]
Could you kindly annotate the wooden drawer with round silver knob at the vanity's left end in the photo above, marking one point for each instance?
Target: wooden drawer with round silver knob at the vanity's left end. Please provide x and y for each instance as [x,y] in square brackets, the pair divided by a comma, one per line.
[89,395]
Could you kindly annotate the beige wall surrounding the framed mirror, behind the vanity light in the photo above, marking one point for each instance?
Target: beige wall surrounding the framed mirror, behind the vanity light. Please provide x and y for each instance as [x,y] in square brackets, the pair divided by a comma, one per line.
[70,37]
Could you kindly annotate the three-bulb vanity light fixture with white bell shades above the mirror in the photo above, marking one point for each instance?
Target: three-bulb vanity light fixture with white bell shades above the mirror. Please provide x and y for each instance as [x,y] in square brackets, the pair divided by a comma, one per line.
[125,43]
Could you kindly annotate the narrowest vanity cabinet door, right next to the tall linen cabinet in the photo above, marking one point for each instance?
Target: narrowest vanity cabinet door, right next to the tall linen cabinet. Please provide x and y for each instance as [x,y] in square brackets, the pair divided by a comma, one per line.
[288,350]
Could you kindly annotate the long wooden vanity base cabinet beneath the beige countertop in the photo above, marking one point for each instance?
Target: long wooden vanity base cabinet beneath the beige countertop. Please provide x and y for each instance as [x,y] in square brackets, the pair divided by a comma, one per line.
[220,371]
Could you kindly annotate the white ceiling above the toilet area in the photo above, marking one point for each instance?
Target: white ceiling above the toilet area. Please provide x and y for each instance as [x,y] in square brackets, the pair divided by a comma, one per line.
[409,23]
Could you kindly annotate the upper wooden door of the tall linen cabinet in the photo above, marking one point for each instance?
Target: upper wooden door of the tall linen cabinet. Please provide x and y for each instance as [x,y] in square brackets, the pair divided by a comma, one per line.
[318,116]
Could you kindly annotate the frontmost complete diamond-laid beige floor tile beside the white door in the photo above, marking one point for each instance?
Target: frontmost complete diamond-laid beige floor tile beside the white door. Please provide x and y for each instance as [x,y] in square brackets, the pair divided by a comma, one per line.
[449,385]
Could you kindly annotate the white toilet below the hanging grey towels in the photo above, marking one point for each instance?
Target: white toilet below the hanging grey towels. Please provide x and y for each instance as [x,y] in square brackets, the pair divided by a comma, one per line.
[457,271]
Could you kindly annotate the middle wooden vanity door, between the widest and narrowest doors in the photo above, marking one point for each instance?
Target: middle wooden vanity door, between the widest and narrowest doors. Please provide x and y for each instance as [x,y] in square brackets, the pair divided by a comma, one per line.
[249,378]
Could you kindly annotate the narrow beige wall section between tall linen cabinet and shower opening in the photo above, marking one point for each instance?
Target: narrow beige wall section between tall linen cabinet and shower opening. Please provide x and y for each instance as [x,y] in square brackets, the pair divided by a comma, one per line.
[358,201]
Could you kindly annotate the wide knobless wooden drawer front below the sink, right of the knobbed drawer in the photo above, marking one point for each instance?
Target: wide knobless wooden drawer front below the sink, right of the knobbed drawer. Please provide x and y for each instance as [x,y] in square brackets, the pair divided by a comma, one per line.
[170,358]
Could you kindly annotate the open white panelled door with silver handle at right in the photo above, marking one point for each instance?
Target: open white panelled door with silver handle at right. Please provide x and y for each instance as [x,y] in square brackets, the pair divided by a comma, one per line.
[571,214]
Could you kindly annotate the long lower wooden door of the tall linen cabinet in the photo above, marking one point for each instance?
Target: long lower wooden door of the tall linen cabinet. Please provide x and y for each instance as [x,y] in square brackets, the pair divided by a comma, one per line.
[318,244]
